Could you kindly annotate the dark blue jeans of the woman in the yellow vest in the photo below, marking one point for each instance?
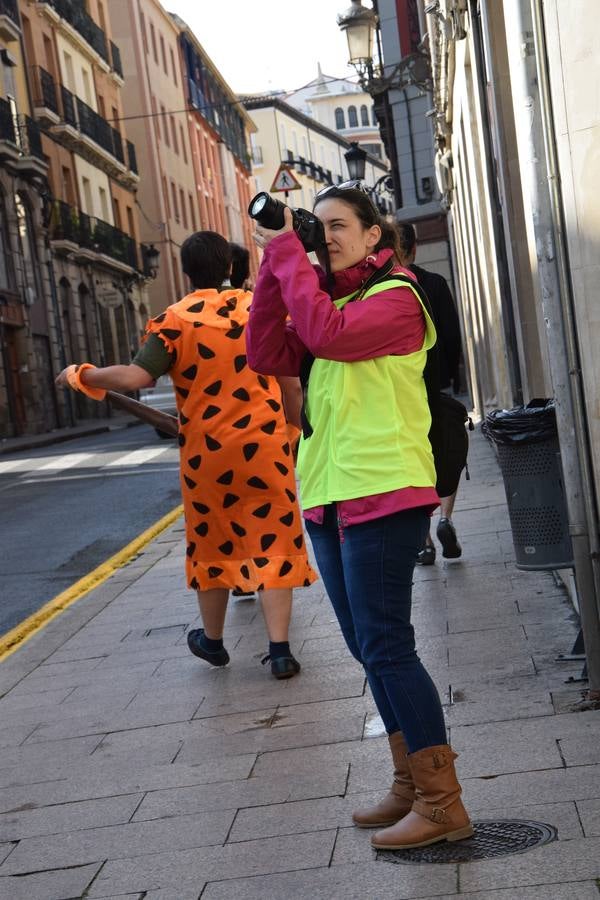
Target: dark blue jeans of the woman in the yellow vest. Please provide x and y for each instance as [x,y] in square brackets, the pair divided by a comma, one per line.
[367,570]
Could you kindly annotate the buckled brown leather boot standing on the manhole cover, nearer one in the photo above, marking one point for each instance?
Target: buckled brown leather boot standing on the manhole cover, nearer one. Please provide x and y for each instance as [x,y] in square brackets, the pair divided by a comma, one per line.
[437,813]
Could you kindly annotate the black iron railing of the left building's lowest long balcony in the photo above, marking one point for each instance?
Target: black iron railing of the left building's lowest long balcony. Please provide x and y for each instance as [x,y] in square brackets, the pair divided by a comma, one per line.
[67,223]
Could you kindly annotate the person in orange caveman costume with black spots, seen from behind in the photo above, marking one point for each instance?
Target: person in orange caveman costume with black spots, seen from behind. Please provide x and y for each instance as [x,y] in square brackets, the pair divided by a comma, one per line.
[243,525]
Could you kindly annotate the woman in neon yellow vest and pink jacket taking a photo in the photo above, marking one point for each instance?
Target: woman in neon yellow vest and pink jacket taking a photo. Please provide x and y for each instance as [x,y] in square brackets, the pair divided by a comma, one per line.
[367,477]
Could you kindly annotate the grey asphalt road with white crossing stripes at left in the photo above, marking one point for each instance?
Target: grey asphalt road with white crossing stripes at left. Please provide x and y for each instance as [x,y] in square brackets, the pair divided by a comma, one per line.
[66,508]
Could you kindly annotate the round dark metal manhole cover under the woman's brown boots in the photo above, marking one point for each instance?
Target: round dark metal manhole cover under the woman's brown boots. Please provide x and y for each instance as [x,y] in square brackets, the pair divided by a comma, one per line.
[490,839]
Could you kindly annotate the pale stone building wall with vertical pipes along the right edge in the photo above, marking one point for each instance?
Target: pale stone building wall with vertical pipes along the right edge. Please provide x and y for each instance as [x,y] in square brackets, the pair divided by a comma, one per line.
[517,129]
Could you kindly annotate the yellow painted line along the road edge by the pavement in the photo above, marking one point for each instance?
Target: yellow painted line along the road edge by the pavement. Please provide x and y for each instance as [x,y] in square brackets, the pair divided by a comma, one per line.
[26,629]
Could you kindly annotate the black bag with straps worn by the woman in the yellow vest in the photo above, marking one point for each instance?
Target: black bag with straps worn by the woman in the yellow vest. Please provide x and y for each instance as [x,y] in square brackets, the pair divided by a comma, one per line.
[448,437]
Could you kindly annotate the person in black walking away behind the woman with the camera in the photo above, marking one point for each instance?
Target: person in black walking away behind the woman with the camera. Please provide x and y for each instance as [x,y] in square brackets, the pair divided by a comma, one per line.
[447,326]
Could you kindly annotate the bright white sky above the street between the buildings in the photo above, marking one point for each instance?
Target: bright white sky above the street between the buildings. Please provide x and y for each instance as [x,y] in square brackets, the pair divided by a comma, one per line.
[259,45]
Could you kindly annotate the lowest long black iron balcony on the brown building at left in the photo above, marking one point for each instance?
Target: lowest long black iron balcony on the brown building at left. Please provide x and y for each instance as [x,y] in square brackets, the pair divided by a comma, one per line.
[74,231]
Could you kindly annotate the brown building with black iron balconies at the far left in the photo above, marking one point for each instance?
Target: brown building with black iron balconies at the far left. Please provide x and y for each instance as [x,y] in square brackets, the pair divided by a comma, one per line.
[76,271]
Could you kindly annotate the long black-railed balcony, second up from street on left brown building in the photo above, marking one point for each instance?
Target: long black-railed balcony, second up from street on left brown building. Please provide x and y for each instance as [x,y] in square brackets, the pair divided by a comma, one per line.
[81,128]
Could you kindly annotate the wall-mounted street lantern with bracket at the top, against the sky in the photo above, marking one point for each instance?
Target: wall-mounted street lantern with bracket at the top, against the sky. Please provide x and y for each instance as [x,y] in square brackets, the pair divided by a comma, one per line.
[359,24]
